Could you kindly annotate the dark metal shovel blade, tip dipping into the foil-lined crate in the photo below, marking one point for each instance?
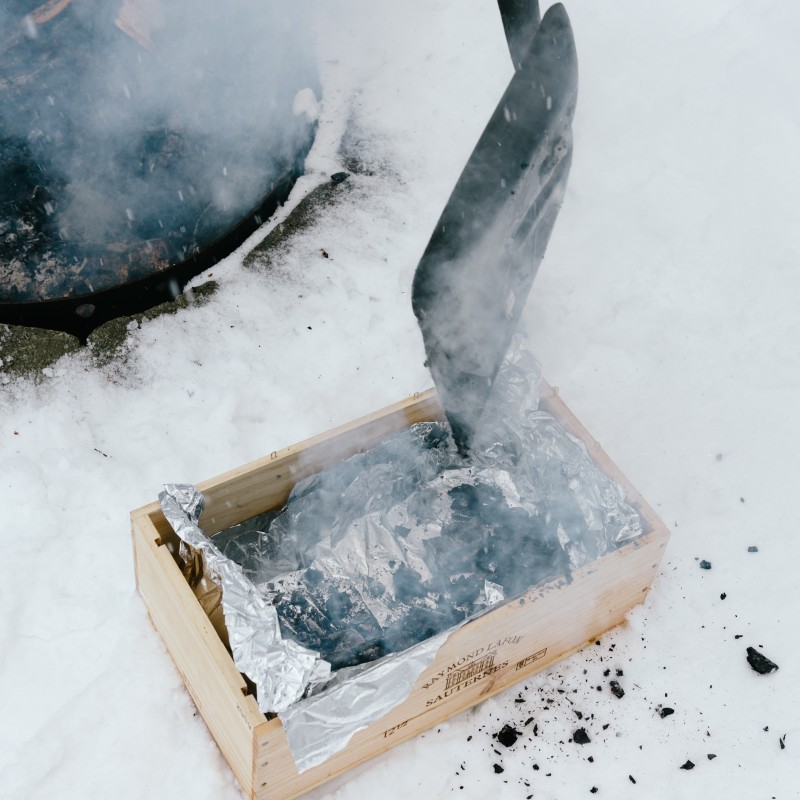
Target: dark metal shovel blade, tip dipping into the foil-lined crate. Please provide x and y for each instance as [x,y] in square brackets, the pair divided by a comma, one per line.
[475,275]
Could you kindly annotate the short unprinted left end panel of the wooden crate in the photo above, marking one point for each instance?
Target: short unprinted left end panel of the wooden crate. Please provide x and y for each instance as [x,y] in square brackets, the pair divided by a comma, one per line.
[204,664]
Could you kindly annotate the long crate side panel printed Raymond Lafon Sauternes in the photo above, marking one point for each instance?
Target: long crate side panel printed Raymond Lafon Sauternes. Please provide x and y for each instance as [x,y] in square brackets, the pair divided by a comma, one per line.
[483,658]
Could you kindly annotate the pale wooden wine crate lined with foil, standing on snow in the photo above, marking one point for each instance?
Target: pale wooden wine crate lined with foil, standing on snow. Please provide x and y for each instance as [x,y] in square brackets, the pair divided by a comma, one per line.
[509,643]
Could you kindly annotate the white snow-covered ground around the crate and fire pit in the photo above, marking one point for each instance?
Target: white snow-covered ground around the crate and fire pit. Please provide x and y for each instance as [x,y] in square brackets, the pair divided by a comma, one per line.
[666,313]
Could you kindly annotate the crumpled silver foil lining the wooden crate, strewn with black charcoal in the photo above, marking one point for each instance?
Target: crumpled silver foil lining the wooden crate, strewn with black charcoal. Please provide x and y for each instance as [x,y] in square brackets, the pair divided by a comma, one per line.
[372,563]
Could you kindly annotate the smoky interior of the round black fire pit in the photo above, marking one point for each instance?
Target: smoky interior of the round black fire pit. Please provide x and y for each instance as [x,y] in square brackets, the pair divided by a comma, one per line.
[134,133]
